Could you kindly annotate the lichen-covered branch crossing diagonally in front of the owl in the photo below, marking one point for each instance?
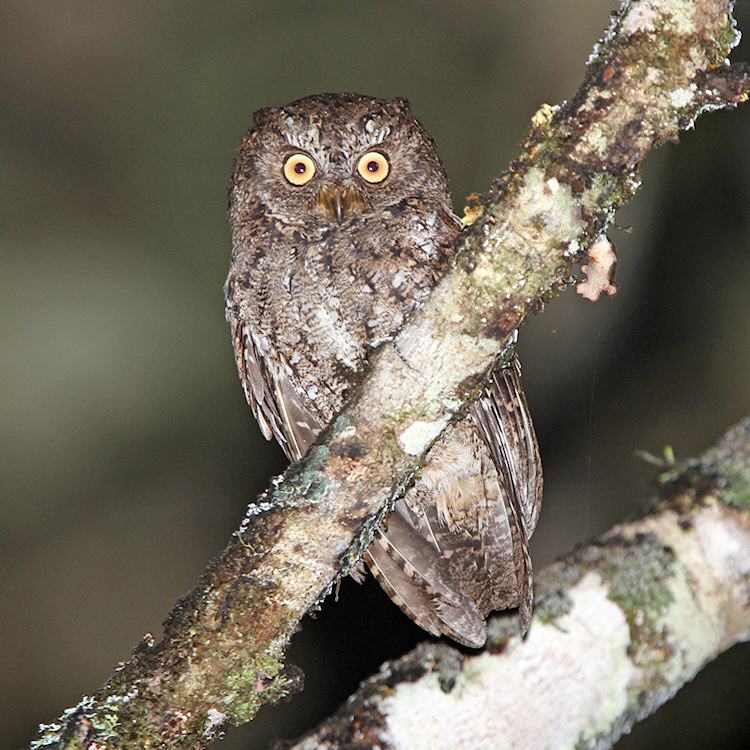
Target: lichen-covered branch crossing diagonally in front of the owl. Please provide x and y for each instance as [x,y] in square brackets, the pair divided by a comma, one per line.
[660,65]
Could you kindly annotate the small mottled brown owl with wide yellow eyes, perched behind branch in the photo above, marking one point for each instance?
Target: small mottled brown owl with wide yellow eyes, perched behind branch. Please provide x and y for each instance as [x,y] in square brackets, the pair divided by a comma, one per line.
[341,224]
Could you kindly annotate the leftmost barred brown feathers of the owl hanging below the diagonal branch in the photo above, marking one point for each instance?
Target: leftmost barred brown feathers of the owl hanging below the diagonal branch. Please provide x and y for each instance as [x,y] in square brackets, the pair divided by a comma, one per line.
[414,574]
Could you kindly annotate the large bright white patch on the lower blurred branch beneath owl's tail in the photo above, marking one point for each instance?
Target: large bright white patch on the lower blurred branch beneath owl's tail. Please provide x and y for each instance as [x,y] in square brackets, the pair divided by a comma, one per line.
[586,650]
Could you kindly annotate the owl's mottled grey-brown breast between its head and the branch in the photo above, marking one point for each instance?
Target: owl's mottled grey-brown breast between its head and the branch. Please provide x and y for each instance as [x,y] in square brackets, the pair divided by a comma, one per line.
[323,298]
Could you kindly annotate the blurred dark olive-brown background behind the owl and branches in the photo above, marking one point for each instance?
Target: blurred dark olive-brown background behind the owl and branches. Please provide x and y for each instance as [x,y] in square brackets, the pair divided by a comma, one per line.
[127,453]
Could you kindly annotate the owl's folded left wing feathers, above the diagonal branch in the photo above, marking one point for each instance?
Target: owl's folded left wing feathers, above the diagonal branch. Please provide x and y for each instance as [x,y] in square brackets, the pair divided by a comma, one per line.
[274,400]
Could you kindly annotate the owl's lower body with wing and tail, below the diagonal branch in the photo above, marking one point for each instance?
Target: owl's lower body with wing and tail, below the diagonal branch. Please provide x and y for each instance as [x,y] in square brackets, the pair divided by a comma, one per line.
[456,547]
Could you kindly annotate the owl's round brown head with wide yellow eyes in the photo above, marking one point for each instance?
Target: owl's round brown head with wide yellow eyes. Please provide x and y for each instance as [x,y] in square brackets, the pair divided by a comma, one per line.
[335,159]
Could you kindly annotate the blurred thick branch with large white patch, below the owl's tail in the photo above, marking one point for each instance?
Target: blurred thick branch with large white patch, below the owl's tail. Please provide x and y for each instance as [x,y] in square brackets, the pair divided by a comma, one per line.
[620,625]
